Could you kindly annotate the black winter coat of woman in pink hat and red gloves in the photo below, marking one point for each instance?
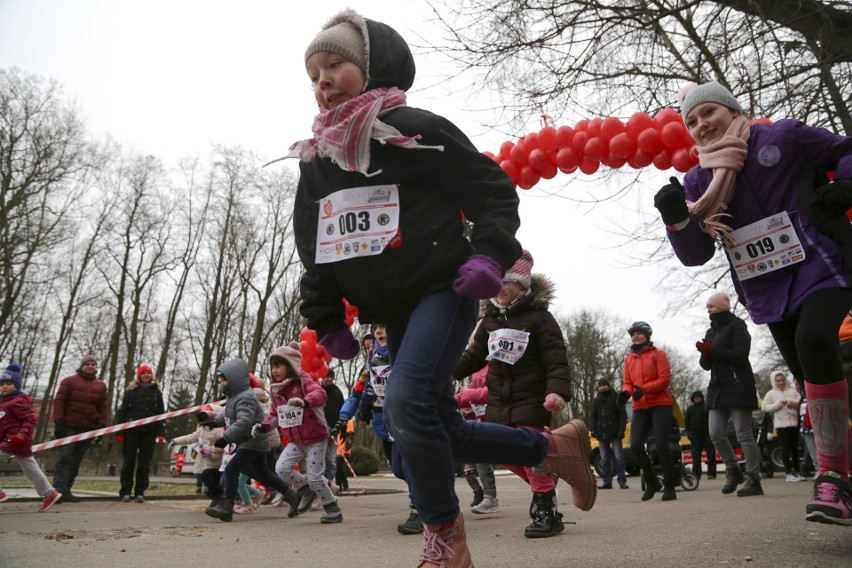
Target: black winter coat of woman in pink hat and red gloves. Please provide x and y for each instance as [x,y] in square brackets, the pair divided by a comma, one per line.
[731,377]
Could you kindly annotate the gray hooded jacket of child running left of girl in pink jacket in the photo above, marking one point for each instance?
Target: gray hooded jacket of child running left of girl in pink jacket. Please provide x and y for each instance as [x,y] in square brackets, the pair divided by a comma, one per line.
[242,410]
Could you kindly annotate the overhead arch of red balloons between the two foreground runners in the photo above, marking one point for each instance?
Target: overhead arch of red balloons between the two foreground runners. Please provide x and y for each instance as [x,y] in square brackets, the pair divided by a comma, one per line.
[640,142]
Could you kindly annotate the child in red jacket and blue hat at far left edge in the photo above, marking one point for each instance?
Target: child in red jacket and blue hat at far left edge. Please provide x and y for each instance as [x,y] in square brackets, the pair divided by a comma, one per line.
[17,421]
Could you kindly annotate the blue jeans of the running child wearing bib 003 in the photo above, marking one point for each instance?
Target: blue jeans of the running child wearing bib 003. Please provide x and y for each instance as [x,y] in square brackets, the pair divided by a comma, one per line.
[421,413]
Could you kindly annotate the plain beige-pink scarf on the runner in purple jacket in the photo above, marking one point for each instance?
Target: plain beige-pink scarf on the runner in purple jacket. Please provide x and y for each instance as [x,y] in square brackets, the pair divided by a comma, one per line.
[726,158]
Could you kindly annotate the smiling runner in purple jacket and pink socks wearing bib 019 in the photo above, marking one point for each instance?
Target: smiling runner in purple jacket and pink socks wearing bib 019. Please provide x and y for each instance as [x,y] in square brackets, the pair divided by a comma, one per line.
[761,192]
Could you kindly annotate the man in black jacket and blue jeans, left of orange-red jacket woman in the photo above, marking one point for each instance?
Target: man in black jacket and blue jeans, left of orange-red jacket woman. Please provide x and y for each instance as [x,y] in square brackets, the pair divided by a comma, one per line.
[609,420]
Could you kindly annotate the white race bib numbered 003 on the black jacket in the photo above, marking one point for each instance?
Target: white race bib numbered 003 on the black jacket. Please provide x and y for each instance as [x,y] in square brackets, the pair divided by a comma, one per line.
[359,221]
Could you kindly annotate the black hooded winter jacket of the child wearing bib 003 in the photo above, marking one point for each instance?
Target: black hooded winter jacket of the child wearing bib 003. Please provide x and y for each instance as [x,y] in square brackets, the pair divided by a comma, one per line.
[436,187]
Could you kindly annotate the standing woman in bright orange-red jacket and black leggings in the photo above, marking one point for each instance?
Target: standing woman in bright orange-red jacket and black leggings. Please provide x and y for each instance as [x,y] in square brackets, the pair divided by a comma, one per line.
[646,380]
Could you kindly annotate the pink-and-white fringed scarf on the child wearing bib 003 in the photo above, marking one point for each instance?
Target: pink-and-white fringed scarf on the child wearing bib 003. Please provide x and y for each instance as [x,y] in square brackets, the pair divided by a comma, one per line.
[344,133]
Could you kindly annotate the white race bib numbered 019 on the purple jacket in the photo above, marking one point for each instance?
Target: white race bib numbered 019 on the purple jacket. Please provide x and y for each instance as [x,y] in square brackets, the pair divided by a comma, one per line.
[765,246]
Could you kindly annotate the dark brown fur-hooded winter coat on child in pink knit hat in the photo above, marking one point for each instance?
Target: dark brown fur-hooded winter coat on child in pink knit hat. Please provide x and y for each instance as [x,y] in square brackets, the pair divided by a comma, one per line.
[516,392]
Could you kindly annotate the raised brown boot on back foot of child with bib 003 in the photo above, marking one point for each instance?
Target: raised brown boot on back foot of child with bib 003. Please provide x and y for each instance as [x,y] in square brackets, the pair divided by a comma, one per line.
[568,452]
